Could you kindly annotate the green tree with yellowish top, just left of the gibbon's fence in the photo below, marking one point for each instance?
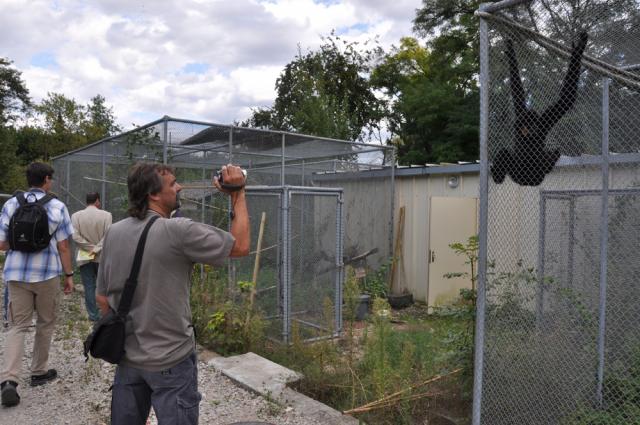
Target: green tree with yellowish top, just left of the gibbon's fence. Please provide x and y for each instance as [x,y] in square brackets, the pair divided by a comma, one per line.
[432,106]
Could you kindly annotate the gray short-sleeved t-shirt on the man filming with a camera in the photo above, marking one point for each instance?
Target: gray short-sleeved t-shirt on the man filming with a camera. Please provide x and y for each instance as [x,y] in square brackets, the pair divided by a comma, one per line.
[159,332]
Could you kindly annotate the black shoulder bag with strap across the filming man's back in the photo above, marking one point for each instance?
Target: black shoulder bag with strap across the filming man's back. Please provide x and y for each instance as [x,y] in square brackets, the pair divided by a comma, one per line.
[106,341]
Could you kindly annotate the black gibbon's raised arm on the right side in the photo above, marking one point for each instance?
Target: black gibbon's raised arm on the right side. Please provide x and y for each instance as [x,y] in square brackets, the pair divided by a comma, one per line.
[569,90]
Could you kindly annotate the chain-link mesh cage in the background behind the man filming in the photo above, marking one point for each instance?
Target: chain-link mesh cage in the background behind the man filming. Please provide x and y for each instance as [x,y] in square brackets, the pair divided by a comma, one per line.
[298,182]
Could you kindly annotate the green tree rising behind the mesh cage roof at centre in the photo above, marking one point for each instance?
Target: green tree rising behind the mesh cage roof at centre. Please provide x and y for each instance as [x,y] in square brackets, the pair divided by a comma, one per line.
[325,92]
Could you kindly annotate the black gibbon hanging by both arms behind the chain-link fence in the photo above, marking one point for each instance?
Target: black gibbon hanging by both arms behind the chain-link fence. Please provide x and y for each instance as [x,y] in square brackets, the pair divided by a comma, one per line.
[528,160]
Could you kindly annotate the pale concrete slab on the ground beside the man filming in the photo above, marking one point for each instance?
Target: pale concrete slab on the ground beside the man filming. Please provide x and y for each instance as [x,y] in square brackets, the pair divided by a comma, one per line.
[270,380]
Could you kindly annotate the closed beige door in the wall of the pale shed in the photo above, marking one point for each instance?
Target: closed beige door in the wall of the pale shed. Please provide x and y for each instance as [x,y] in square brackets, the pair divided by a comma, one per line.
[450,220]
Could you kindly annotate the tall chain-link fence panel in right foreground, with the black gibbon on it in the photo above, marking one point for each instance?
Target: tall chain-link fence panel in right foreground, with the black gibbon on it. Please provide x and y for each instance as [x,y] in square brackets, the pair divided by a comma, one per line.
[557,334]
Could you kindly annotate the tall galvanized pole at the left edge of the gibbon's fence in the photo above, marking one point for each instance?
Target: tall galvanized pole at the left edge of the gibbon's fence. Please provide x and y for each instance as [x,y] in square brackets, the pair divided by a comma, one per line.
[484,208]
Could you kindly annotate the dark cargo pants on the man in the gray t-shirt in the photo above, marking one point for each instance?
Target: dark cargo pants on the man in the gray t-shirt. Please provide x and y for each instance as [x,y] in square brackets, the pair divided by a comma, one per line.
[173,393]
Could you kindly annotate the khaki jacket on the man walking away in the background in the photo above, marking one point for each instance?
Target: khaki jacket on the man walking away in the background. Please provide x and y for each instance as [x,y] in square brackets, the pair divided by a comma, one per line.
[90,226]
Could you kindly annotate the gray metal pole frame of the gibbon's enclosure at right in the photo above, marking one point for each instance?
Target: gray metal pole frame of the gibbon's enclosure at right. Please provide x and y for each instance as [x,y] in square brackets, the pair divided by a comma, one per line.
[603,162]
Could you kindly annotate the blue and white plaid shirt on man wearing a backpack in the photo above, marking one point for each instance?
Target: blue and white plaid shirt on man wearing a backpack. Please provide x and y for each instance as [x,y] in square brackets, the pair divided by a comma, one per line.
[41,265]
